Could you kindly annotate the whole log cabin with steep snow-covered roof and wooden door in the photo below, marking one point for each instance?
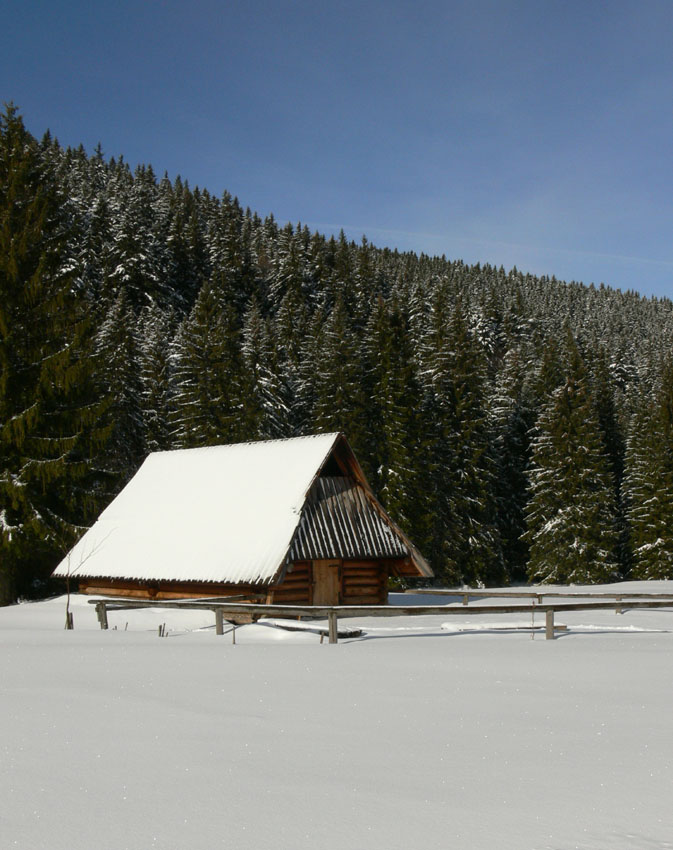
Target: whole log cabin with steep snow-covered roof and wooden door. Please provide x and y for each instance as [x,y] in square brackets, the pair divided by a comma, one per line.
[282,521]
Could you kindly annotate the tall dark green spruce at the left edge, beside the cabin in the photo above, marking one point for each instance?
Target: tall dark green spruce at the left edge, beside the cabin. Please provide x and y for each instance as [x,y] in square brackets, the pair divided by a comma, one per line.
[49,405]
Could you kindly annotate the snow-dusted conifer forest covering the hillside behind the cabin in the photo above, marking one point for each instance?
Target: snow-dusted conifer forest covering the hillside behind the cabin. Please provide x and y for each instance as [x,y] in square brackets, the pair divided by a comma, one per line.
[517,427]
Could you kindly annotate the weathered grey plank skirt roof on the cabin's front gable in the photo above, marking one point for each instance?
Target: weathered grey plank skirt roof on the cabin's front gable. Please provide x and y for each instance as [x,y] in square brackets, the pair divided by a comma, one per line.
[339,521]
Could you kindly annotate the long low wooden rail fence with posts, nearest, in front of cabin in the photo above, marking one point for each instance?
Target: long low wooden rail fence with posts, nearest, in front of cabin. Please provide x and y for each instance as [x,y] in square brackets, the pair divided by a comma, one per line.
[332,612]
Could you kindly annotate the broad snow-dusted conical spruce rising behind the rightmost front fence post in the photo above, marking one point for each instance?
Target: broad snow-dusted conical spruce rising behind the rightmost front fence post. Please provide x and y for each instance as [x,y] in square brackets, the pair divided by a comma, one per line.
[571,514]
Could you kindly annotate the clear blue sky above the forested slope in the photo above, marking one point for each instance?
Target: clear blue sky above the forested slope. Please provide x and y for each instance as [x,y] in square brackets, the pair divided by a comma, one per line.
[535,133]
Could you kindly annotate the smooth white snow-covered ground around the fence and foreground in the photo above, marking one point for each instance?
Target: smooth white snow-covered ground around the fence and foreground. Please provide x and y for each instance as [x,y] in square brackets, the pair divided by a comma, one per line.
[411,736]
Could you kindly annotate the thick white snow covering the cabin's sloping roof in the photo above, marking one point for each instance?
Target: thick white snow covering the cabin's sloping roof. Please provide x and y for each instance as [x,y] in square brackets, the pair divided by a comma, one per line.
[222,514]
